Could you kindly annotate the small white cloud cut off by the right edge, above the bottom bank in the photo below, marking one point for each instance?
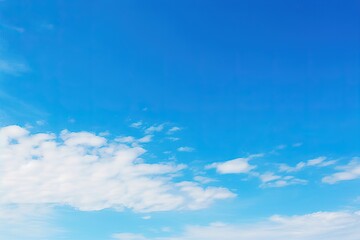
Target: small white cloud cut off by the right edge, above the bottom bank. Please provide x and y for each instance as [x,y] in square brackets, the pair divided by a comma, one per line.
[348,172]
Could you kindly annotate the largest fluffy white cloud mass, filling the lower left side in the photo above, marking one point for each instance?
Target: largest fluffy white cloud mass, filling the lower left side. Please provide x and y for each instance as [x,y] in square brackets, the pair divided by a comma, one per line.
[90,172]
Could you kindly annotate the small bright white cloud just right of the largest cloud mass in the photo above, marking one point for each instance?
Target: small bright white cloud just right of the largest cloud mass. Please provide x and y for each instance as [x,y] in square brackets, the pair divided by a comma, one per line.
[238,165]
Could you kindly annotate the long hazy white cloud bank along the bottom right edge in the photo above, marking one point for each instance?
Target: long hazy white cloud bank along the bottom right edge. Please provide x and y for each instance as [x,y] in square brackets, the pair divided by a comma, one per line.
[319,226]
